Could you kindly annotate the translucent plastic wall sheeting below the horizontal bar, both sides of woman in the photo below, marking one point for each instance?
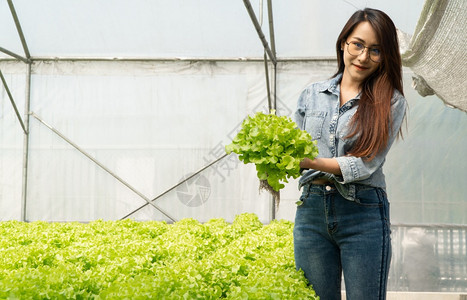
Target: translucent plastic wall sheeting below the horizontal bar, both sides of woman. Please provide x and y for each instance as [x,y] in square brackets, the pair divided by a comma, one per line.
[156,124]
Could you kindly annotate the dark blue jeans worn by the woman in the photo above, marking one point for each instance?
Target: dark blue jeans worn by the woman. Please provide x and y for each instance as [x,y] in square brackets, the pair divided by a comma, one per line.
[334,235]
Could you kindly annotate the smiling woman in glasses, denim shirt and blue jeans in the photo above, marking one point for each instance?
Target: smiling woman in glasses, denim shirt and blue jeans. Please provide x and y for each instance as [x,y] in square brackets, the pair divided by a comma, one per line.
[343,223]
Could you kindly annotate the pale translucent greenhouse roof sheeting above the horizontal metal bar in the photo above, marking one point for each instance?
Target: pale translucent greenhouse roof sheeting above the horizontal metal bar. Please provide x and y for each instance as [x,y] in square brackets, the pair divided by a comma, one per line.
[180,28]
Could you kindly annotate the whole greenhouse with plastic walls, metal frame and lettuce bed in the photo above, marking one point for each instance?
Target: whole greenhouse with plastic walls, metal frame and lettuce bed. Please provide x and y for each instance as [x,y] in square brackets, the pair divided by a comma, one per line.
[98,106]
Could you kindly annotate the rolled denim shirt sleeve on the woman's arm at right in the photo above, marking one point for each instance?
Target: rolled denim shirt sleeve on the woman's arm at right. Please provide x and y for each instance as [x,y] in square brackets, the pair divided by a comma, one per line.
[356,168]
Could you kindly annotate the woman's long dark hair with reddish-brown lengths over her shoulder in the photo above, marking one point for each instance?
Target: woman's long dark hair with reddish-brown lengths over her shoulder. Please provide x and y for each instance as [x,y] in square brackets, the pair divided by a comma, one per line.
[373,120]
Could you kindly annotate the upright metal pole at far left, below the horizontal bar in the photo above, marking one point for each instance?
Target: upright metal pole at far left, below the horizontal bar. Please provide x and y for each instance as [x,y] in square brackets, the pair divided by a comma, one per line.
[26,146]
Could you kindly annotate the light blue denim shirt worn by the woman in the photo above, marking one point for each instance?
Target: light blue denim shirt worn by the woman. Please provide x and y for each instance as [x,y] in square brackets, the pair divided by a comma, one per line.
[320,114]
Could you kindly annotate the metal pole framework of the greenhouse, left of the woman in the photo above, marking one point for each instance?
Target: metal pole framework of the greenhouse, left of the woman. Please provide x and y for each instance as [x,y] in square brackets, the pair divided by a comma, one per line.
[269,56]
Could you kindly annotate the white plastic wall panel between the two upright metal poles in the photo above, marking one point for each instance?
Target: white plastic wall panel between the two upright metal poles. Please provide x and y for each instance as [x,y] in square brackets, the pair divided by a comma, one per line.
[151,125]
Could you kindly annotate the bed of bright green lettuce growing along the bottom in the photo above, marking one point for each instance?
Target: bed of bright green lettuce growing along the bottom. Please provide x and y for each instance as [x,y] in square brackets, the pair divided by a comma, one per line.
[150,260]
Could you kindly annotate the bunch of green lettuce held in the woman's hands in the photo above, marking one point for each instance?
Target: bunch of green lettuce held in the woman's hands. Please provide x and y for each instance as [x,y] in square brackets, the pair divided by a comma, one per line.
[275,145]
